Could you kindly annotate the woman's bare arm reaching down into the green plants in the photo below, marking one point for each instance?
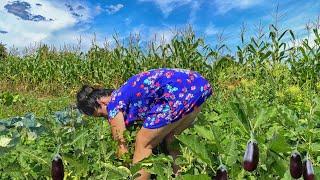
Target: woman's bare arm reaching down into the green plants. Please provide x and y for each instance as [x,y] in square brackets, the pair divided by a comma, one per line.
[118,127]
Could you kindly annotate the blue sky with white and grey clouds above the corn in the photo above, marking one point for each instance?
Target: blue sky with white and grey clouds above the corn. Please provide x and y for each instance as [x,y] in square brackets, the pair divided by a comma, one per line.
[58,22]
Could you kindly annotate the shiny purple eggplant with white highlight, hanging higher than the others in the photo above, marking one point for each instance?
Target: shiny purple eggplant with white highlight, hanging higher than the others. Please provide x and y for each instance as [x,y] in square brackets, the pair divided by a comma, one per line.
[251,156]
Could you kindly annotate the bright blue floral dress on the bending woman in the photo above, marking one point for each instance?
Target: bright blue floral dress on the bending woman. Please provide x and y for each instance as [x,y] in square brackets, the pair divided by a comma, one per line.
[159,96]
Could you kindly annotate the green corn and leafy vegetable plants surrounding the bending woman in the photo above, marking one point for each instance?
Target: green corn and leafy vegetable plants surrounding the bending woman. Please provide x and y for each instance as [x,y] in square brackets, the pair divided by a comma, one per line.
[269,90]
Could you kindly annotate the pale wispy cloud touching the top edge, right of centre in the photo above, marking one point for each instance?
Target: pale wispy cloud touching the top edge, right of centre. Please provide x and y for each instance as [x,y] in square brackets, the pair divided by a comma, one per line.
[227,5]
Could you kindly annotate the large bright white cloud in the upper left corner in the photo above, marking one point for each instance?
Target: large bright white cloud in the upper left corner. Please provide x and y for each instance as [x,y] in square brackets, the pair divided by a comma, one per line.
[22,33]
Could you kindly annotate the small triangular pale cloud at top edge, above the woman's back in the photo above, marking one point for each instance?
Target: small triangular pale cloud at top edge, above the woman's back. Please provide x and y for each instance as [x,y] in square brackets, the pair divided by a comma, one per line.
[167,6]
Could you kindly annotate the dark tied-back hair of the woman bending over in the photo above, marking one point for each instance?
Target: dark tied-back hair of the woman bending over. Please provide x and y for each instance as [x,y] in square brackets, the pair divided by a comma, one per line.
[87,98]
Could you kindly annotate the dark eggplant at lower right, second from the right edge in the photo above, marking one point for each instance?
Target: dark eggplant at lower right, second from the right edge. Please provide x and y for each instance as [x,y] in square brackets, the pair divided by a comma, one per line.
[296,167]
